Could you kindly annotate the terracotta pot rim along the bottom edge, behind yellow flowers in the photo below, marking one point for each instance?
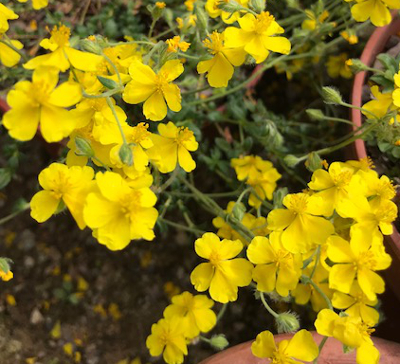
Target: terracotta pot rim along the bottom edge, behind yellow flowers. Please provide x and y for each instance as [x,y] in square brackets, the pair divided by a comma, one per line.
[332,353]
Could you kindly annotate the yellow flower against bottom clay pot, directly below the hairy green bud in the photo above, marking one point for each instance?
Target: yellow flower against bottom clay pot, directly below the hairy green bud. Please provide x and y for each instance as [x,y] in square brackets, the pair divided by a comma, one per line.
[301,346]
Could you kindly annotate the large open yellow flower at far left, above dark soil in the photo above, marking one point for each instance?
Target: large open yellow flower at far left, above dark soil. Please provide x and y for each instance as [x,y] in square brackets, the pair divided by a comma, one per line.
[40,101]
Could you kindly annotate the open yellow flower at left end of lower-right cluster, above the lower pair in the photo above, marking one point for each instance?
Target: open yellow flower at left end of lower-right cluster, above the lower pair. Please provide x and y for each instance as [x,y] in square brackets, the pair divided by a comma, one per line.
[222,275]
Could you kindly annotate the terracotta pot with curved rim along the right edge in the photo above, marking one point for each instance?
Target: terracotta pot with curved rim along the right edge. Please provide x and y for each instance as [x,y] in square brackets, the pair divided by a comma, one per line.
[374,46]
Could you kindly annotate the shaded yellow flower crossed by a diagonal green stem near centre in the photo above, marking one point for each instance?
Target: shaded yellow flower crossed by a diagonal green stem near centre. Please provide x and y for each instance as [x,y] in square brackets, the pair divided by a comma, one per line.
[258,225]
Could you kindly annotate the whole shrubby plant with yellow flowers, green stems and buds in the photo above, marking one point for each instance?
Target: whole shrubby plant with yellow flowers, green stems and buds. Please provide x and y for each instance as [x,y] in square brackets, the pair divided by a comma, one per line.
[133,114]
